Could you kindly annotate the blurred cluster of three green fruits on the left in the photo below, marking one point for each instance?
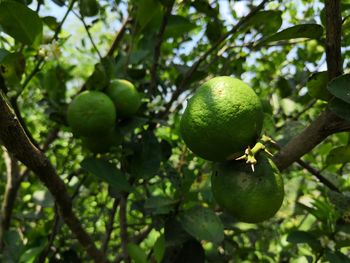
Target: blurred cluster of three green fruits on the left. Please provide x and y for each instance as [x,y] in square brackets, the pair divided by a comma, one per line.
[92,115]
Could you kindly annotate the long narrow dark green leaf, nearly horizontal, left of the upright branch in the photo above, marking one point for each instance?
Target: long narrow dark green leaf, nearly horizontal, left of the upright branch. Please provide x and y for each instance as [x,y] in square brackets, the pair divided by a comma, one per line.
[312,31]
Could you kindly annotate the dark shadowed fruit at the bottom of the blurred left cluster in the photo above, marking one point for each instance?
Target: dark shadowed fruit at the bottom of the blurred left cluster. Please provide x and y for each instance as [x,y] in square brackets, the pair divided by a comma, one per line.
[102,144]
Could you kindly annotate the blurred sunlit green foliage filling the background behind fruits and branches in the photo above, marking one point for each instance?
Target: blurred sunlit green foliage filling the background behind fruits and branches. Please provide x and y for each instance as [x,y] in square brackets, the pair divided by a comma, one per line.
[279,52]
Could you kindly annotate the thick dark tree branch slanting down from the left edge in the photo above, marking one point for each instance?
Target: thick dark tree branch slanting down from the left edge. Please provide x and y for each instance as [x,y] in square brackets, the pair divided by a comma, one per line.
[18,144]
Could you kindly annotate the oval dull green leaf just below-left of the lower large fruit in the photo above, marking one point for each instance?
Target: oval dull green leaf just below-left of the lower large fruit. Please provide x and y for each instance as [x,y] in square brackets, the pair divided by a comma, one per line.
[203,224]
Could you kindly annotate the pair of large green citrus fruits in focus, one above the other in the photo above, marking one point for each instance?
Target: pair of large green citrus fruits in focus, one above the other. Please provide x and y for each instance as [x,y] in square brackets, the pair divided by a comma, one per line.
[223,119]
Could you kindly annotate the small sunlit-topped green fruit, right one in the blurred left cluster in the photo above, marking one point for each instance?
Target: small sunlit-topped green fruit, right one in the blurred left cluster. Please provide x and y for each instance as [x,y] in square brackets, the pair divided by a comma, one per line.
[125,97]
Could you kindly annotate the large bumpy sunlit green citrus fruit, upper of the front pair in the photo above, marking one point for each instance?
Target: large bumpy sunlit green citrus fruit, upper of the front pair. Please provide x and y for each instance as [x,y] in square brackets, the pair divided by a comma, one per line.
[222,118]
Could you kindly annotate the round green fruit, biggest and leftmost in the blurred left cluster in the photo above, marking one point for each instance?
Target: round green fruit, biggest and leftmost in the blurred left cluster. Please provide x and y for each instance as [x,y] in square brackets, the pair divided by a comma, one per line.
[91,113]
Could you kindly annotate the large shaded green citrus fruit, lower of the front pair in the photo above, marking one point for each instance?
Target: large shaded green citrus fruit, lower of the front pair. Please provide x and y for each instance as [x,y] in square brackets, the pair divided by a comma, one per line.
[249,196]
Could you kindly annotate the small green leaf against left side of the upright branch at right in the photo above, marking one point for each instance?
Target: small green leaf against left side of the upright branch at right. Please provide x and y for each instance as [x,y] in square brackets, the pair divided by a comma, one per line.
[317,86]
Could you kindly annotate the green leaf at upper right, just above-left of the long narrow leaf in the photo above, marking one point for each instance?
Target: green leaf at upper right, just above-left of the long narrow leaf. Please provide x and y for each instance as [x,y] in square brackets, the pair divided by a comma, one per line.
[266,22]
